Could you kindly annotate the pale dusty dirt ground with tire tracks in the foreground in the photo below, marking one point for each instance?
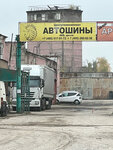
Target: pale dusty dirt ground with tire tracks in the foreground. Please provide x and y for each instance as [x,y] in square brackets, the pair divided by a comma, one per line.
[88,126]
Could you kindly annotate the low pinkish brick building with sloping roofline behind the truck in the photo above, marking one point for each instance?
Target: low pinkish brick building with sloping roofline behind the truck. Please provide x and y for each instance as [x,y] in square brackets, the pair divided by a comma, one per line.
[8,57]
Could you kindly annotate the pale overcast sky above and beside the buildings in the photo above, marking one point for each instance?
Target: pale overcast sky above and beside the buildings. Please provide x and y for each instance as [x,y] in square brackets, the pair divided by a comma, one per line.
[14,11]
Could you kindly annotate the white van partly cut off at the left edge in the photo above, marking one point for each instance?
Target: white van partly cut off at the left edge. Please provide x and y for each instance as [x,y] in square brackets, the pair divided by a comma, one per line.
[3,102]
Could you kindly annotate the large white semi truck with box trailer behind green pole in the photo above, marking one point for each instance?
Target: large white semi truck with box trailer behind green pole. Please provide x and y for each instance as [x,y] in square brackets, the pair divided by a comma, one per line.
[42,87]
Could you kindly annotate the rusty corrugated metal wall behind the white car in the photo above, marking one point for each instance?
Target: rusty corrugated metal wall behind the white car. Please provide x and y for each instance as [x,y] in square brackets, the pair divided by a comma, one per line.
[91,88]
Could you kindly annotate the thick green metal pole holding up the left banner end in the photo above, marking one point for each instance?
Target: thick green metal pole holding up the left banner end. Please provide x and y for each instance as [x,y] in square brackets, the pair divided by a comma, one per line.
[18,67]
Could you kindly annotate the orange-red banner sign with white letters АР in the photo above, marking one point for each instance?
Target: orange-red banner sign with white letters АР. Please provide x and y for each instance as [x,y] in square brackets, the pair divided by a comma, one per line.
[105,31]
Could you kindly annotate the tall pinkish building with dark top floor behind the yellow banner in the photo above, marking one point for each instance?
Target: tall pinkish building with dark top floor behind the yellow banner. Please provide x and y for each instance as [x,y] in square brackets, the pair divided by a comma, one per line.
[70,52]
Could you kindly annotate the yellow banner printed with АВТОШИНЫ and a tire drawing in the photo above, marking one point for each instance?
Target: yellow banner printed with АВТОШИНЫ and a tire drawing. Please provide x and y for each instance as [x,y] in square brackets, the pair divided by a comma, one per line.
[78,31]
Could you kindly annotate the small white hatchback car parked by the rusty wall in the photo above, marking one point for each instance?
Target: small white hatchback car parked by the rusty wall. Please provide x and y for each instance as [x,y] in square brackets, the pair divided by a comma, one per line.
[69,96]
